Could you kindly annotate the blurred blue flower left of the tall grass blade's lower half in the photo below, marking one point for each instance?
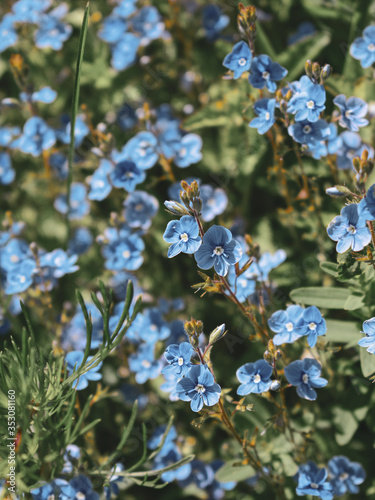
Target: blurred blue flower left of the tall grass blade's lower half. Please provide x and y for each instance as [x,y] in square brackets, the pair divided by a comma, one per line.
[37,137]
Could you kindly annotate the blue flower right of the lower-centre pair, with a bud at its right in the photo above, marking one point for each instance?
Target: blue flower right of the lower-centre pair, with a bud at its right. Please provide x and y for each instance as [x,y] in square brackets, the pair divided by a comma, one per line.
[254,377]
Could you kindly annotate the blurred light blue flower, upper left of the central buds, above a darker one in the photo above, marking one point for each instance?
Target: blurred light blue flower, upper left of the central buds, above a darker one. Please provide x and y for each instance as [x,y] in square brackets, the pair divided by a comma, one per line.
[142,150]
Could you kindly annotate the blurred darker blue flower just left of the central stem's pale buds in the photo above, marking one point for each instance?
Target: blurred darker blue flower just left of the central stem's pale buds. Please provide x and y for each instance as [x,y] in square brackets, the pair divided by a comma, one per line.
[140,208]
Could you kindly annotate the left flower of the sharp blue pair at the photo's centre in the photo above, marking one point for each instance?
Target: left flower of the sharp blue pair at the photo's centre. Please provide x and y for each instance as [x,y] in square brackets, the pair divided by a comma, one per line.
[183,235]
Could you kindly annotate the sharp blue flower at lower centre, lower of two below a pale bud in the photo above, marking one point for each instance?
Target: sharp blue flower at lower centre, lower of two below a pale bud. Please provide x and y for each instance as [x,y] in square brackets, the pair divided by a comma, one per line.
[199,388]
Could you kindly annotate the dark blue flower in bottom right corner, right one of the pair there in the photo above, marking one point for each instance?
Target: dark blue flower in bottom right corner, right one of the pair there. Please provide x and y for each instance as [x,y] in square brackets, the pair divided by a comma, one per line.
[345,476]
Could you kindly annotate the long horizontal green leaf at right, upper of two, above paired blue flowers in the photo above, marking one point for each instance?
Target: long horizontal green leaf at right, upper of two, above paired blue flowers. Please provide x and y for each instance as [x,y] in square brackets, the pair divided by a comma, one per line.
[327,297]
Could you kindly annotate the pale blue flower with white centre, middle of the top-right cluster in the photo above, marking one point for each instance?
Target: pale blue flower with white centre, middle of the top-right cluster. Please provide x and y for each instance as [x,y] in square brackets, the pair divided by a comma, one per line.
[308,103]
